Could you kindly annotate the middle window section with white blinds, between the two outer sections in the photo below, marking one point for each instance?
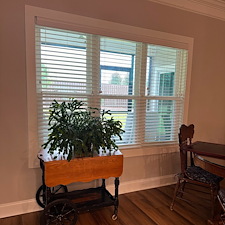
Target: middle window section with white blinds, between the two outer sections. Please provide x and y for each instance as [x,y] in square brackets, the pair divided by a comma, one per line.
[117,64]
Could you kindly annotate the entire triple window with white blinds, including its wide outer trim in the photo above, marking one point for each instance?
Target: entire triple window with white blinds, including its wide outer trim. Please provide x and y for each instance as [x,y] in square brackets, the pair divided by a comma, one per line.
[141,75]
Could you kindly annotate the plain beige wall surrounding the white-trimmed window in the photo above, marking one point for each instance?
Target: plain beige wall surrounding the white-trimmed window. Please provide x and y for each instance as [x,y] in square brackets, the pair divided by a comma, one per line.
[207,96]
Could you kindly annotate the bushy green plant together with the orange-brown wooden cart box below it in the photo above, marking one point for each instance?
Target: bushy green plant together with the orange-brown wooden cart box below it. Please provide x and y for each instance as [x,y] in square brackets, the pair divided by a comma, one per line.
[78,133]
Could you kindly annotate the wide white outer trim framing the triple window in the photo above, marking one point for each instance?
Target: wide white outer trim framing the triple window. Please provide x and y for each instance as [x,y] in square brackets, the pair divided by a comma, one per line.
[85,24]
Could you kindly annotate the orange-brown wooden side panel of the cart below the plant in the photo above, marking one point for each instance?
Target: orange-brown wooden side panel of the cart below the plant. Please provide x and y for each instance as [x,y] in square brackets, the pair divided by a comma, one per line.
[82,169]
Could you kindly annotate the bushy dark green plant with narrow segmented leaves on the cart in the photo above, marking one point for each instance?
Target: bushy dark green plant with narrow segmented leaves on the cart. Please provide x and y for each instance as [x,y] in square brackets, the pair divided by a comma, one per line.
[79,131]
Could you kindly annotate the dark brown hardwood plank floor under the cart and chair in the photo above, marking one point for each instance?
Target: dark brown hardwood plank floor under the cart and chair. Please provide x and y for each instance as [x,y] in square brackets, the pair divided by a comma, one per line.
[145,207]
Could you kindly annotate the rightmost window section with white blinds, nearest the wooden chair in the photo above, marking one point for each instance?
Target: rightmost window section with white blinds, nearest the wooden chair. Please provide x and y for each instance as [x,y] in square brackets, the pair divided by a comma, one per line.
[165,88]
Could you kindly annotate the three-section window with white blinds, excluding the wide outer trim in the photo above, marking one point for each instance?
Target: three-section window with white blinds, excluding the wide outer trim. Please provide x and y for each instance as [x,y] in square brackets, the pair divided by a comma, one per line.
[109,73]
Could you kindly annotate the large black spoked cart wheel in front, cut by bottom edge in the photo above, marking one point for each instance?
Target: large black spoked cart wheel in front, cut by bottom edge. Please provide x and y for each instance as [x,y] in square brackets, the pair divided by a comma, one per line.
[59,212]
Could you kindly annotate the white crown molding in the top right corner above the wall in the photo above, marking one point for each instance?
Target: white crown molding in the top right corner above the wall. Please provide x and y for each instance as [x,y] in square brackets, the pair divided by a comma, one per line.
[211,8]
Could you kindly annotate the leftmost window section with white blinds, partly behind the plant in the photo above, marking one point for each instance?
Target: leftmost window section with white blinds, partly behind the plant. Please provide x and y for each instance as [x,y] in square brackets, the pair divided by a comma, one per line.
[63,70]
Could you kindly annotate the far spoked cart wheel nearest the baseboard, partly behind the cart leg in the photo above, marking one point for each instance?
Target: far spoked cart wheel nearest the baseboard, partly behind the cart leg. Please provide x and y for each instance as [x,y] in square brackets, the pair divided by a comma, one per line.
[41,197]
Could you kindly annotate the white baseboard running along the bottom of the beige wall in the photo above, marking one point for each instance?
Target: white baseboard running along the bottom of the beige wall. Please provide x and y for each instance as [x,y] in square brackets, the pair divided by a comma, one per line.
[28,206]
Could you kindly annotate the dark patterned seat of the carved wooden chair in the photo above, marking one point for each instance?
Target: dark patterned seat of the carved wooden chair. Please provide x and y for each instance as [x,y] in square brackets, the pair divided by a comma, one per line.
[198,174]
